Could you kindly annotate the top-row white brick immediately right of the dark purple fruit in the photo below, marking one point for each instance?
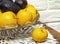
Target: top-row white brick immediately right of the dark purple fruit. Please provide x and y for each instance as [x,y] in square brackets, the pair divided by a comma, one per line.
[39,4]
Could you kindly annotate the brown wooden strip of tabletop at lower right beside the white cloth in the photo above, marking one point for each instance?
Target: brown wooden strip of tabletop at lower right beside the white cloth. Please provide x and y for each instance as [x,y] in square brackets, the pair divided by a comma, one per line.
[55,34]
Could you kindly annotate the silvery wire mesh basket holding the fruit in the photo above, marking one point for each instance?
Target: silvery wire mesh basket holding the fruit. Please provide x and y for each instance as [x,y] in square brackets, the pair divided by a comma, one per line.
[17,31]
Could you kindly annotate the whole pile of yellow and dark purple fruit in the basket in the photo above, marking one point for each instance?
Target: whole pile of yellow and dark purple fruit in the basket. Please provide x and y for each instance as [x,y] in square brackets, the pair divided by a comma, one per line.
[17,13]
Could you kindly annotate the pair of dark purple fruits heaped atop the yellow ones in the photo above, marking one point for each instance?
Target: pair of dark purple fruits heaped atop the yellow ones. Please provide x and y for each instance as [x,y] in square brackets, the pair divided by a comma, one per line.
[10,5]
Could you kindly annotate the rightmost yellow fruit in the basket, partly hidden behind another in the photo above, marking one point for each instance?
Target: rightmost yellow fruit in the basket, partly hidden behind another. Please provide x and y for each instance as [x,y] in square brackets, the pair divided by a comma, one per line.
[33,11]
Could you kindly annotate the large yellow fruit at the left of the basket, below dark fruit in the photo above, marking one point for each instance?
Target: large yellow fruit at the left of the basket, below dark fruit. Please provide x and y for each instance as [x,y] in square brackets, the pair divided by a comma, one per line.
[7,19]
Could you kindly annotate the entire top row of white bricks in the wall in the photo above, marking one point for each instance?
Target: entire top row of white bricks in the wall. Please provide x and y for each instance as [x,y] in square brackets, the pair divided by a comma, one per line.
[45,4]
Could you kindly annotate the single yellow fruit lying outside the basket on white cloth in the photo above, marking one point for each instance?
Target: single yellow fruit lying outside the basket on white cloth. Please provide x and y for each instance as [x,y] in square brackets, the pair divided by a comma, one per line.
[39,34]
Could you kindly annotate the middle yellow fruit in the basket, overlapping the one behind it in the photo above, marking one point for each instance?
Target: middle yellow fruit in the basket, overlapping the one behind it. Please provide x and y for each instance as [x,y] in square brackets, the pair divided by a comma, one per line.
[24,17]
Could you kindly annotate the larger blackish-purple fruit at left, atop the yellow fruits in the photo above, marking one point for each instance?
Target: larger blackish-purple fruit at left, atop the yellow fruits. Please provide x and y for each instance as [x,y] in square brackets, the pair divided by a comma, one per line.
[8,5]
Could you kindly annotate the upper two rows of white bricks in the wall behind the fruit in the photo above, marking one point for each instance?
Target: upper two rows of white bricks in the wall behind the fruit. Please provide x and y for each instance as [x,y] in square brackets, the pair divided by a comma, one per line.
[48,9]
